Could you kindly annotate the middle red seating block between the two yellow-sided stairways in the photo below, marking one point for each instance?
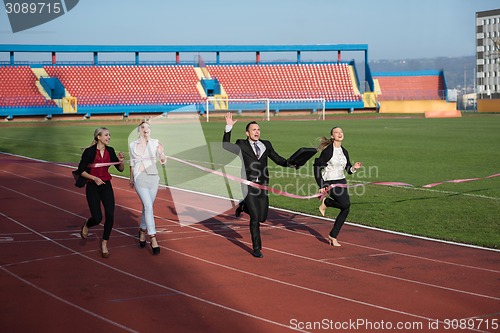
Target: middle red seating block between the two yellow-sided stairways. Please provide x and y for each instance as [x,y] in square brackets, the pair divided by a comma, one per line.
[128,85]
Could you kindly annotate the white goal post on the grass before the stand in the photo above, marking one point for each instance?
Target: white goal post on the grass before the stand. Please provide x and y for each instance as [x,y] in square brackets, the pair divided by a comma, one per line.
[263,104]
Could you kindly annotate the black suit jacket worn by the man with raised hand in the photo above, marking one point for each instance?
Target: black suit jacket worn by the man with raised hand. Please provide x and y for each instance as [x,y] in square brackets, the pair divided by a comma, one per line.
[255,170]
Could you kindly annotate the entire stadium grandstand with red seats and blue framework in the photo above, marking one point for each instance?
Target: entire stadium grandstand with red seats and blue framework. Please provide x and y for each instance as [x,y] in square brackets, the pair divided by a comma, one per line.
[121,87]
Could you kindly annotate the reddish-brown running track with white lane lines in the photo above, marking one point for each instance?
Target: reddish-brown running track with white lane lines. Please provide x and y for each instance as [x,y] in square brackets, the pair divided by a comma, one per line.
[205,279]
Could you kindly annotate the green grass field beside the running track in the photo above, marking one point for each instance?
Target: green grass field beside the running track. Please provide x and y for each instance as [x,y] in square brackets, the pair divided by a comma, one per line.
[413,150]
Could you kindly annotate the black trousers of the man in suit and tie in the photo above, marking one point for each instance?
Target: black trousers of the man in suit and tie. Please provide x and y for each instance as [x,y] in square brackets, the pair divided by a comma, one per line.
[256,204]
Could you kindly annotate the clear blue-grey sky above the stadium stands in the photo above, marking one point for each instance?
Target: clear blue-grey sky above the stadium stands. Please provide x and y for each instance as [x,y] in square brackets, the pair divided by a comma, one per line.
[392,29]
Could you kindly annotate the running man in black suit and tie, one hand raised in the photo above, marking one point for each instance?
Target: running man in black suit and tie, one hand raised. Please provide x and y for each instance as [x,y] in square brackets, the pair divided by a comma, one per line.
[254,153]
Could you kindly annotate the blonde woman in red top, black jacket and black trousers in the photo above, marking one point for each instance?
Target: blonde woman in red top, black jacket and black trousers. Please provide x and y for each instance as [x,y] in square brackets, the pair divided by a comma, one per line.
[99,187]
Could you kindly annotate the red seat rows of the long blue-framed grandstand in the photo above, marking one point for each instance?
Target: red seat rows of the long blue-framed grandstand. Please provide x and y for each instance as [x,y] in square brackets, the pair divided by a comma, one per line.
[177,84]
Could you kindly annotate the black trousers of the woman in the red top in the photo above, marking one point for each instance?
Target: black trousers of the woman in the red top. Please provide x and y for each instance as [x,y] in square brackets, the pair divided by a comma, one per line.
[95,195]
